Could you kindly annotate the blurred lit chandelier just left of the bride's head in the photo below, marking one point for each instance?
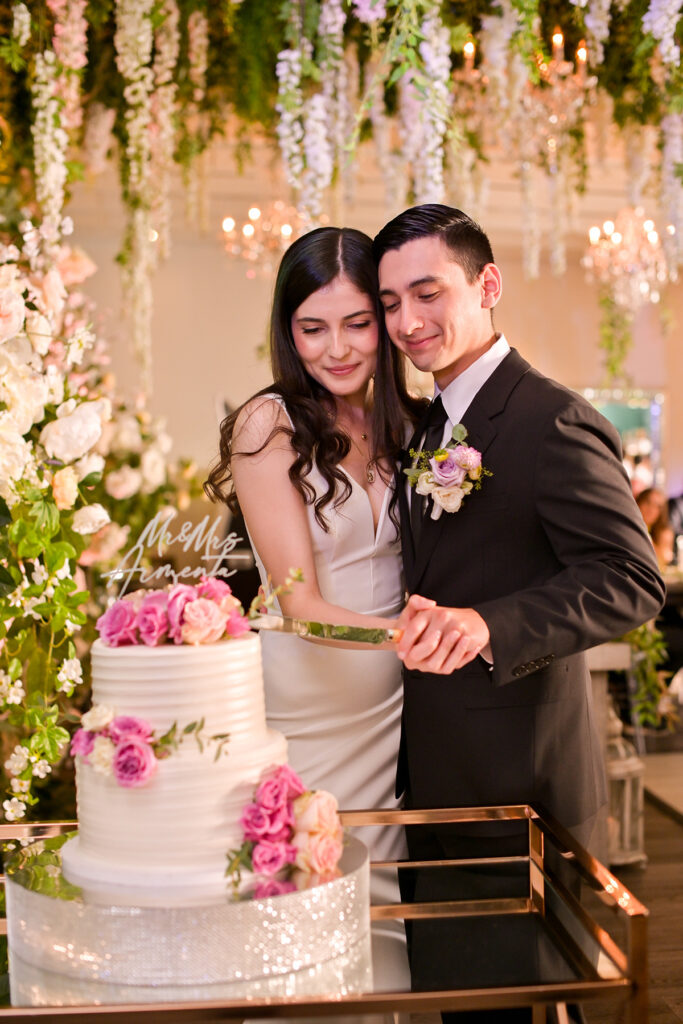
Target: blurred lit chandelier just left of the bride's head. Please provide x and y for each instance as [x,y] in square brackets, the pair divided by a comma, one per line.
[264,237]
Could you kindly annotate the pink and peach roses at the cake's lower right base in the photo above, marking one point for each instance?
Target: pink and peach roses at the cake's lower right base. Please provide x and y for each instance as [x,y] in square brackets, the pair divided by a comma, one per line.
[292,837]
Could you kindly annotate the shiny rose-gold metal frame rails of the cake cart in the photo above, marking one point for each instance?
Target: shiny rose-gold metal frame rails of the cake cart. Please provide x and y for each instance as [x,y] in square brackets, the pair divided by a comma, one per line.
[628,983]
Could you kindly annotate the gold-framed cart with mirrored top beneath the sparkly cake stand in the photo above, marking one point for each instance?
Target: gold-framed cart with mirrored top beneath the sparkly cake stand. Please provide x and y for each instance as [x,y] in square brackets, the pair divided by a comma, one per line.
[546,926]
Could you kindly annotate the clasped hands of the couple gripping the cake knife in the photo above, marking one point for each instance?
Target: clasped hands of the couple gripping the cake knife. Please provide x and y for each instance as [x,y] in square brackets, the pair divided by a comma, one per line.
[440,639]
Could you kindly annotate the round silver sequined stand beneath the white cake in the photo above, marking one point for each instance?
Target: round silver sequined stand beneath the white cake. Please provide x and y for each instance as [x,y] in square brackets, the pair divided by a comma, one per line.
[302,944]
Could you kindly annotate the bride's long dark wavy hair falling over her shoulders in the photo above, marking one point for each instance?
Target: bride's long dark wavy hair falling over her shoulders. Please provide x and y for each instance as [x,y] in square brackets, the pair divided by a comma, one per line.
[312,263]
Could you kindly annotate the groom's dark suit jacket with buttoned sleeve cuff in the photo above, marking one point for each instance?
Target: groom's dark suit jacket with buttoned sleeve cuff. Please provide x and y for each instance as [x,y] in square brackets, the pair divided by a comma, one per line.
[553,553]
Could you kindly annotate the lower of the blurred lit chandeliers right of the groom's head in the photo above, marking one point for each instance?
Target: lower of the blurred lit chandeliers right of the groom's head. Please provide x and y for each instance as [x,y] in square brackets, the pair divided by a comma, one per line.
[626,257]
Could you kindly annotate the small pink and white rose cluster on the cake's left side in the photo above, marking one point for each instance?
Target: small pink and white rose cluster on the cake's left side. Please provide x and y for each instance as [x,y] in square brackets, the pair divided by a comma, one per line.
[122,746]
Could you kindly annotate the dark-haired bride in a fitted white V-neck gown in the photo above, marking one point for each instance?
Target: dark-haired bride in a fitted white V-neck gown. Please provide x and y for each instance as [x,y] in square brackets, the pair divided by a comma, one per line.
[311,461]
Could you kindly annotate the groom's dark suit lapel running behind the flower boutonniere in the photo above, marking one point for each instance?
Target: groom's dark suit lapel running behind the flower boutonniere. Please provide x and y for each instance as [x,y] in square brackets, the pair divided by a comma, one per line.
[482,430]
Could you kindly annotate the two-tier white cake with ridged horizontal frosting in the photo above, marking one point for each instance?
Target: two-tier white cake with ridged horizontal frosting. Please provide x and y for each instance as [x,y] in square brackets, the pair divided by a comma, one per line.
[172,835]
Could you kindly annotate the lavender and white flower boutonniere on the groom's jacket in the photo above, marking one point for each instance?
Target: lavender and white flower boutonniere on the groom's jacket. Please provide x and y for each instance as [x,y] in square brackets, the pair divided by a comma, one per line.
[448,475]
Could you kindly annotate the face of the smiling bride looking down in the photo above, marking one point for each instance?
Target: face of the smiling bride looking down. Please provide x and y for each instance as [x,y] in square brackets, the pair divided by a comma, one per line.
[335,333]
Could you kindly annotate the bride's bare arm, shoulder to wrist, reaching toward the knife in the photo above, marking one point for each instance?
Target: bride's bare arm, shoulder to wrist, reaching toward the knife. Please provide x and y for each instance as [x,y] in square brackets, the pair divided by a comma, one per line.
[277,516]
